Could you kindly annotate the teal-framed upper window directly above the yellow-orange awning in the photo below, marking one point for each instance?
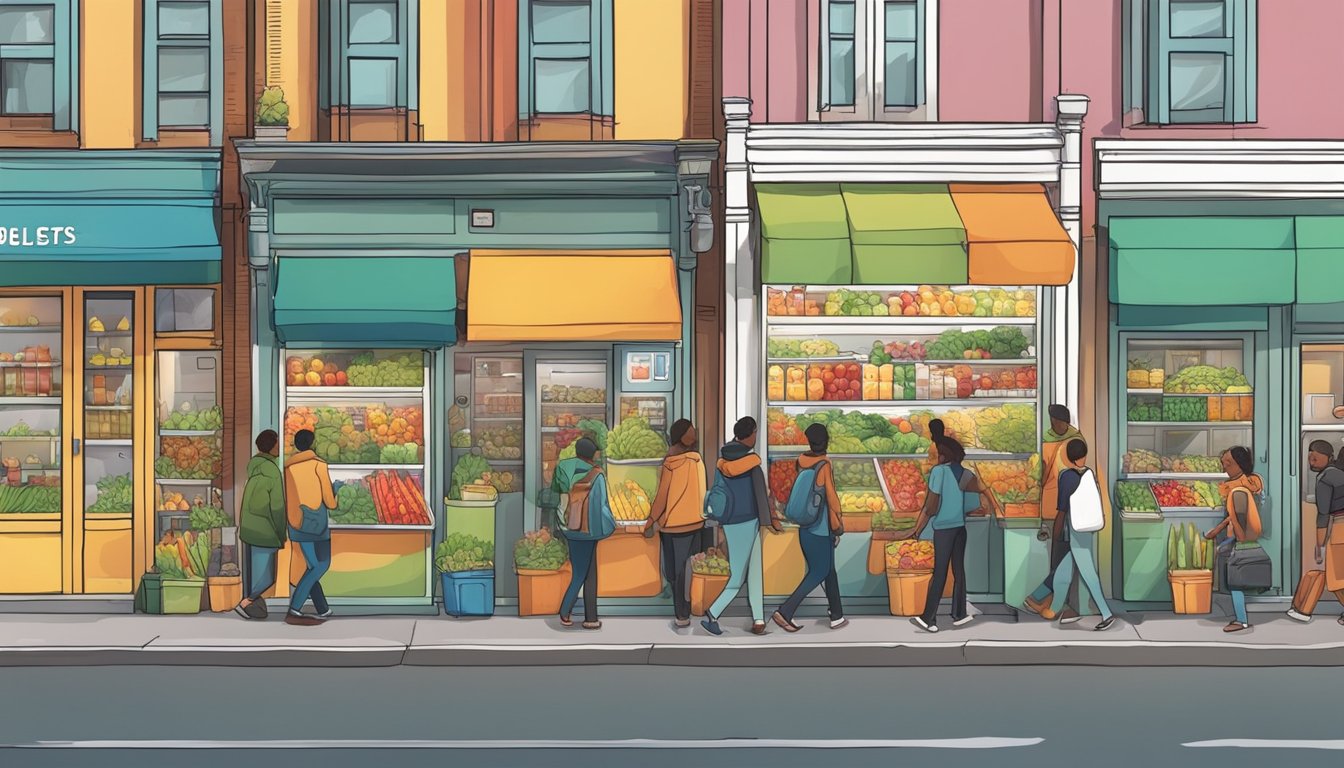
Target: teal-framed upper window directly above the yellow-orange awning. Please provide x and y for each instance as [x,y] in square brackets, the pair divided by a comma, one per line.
[565,59]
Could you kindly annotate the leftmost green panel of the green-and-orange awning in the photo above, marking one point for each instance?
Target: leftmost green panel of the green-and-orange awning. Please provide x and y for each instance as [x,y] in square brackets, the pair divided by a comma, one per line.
[806,235]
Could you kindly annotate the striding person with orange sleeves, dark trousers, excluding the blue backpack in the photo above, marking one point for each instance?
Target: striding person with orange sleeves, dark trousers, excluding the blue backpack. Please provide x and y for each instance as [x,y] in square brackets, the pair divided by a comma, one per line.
[819,540]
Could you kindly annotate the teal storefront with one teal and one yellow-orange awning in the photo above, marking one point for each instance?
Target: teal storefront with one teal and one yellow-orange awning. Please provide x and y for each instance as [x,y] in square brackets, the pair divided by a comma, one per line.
[427,309]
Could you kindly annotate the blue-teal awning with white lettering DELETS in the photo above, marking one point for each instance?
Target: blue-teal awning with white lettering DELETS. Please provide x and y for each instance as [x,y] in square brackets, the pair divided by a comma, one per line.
[110,243]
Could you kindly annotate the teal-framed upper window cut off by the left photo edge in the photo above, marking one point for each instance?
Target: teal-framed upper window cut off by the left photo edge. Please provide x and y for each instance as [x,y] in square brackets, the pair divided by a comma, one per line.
[38,61]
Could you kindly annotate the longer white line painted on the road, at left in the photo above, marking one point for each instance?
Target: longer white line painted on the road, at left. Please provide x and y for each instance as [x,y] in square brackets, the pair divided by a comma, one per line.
[975,743]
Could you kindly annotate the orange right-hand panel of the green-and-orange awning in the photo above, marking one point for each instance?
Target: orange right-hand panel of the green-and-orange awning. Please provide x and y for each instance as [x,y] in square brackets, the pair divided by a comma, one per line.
[1013,236]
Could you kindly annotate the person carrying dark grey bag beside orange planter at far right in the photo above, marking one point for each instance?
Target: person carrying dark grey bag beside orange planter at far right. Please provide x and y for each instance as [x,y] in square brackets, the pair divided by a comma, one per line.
[1248,564]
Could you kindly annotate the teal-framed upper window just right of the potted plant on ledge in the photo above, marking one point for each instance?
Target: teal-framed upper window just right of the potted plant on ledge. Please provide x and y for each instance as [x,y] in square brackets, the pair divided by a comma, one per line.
[370,59]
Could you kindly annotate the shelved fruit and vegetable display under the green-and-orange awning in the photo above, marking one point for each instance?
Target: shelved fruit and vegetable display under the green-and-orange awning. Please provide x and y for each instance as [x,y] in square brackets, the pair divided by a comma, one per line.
[876,365]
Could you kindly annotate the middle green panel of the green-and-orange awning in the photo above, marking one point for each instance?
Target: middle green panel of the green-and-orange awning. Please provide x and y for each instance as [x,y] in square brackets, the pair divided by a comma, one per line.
[905,235]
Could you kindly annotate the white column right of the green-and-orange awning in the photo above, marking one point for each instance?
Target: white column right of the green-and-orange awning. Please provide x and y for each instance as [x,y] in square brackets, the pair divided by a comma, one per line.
[1070,111]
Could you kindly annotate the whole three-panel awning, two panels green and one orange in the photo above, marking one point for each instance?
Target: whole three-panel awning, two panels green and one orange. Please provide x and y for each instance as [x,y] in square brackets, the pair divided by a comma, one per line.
[912,235]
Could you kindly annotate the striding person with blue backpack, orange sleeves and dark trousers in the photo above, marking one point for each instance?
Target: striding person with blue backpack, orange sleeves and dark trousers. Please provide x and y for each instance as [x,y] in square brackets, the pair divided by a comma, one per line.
[815,508]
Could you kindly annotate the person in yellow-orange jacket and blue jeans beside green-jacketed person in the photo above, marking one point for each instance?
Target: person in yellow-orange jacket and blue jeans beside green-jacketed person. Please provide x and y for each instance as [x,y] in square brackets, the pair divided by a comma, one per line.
[310,501]
